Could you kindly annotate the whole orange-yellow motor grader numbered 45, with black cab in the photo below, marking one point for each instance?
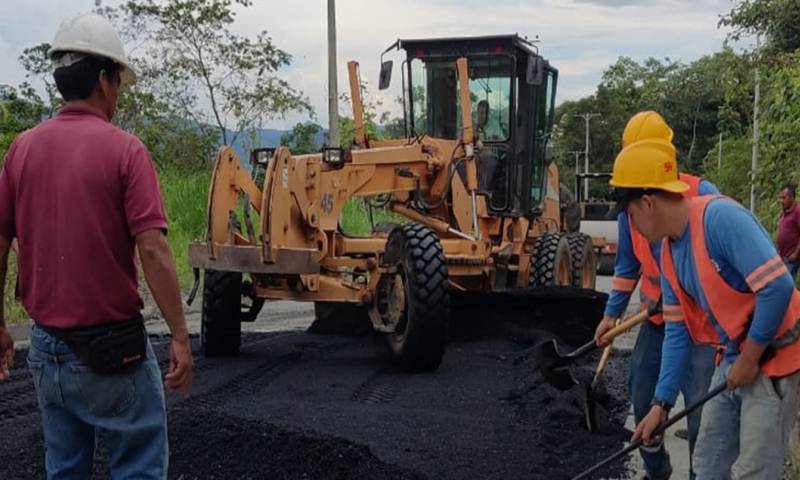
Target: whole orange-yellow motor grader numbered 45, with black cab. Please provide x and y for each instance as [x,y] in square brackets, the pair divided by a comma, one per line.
[472,180]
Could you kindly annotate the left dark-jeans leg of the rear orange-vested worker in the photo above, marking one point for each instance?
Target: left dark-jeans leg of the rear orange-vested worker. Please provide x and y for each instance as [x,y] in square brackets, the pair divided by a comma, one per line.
[645,365]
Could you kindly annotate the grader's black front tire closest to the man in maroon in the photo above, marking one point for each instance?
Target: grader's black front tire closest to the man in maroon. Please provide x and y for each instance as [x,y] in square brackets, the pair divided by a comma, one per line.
[221,323]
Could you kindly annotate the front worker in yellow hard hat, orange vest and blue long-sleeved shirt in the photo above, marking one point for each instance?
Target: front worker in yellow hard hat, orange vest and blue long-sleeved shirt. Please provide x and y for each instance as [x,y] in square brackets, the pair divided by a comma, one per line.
[724,284]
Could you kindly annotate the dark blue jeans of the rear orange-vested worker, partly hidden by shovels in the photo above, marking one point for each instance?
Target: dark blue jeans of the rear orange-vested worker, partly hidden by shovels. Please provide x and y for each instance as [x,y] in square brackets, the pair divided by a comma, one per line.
[645,367]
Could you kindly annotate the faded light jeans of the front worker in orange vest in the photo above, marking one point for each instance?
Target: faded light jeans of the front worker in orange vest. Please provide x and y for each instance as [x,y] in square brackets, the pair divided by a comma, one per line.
[745,433]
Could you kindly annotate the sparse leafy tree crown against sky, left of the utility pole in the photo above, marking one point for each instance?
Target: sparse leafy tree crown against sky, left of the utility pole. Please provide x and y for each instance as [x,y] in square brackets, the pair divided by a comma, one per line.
[190,49]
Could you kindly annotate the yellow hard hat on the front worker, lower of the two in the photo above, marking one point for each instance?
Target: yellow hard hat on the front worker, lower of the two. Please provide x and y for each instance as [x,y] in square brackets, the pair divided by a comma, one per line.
[648,163]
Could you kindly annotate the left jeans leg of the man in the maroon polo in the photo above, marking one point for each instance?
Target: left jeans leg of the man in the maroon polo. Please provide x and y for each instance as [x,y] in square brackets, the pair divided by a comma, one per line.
[68,441]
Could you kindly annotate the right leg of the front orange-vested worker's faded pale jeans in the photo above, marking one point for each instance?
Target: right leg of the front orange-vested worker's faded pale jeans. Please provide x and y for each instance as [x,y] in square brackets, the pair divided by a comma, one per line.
[769,409]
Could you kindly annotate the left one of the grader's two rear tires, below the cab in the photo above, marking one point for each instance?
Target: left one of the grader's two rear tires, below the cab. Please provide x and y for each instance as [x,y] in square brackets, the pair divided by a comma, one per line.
[552,265]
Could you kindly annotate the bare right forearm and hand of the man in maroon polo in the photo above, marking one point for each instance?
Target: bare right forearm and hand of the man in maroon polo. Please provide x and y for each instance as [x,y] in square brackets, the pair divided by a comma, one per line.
[159,272]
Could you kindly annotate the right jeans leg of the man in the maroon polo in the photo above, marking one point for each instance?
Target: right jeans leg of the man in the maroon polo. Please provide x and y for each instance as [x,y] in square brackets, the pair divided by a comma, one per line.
[136,435]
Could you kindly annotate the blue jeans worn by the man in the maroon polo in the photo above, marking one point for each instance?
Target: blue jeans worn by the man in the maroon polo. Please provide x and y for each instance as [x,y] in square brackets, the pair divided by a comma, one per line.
[128,408]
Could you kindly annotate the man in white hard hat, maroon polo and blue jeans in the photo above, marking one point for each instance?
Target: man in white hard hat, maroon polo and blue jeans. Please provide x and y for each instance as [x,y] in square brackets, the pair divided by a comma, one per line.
[80,196]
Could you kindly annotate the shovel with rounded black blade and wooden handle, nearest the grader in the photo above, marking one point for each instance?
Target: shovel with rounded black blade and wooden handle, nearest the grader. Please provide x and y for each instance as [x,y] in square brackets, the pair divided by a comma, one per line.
[555,366]
